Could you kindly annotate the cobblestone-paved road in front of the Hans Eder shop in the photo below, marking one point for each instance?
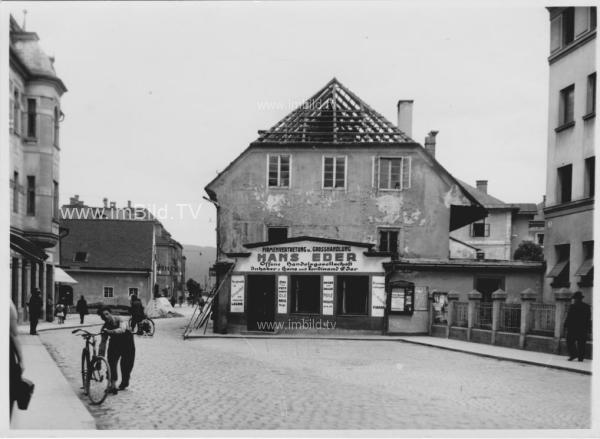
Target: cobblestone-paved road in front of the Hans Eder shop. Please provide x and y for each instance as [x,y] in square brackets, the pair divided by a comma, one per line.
[326,384]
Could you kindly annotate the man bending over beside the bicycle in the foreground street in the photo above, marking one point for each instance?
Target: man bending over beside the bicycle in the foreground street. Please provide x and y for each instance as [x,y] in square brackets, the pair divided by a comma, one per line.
[121,347]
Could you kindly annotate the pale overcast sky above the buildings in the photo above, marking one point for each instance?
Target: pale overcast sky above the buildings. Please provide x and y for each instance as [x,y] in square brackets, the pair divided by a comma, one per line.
[162,96]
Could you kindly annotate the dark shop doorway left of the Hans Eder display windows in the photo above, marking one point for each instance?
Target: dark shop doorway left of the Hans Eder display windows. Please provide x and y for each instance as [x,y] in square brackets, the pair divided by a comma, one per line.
[261,303]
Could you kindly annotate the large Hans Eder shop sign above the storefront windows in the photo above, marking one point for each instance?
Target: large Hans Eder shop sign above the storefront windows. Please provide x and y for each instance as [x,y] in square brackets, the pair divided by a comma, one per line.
[310,256]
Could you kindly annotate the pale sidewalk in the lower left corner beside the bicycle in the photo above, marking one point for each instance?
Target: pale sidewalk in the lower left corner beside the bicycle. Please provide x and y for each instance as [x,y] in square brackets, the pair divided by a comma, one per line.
[54,405]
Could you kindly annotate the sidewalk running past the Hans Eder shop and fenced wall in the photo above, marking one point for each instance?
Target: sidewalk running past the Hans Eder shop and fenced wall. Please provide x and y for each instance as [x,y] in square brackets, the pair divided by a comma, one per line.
[483,350]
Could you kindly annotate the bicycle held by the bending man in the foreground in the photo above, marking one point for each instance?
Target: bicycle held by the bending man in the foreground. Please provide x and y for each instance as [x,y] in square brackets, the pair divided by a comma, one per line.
[95,372]
